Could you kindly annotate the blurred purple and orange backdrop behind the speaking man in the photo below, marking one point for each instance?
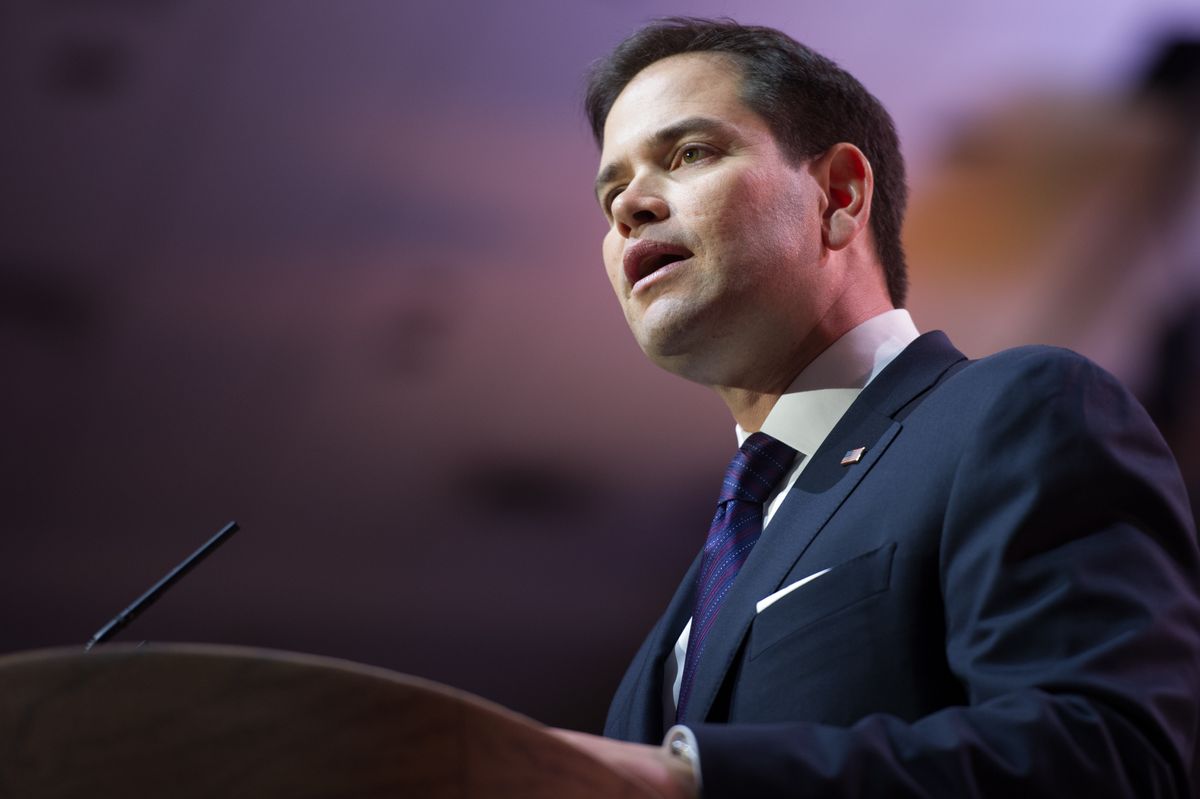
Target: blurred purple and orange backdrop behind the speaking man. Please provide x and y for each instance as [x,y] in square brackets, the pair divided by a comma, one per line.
[333,271]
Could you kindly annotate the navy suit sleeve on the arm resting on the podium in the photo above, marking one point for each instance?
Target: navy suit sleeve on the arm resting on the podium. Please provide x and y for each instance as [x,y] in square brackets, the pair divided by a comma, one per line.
[1070,576]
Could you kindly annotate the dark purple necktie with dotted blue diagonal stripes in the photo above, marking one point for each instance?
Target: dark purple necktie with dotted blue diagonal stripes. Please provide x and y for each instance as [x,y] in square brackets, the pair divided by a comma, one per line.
[755,471]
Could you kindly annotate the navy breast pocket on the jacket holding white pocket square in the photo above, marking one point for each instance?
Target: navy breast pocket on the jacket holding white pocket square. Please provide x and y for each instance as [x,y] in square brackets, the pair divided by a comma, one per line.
[843,586]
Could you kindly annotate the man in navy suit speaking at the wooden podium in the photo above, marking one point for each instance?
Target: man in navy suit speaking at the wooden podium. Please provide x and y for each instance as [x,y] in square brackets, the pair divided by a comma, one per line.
[928,576]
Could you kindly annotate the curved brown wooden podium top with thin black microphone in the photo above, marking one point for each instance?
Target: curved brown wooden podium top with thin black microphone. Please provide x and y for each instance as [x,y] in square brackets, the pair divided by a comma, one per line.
[196,720]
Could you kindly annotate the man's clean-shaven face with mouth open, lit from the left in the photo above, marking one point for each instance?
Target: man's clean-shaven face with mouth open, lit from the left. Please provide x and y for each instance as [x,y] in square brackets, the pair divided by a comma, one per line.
[715,244]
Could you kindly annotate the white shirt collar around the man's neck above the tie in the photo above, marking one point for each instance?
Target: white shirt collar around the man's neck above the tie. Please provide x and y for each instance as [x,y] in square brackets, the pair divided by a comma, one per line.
[819,397]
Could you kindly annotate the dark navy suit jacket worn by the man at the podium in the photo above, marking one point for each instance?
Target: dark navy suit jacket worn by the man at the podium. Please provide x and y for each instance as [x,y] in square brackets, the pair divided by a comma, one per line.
[1012,606]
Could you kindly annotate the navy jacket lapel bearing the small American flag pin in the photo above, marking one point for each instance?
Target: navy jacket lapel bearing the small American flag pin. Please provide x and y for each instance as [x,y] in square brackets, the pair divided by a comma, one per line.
[821,489]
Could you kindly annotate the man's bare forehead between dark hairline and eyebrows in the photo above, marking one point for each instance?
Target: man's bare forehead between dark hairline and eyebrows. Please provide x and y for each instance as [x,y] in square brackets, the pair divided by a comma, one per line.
[679,87]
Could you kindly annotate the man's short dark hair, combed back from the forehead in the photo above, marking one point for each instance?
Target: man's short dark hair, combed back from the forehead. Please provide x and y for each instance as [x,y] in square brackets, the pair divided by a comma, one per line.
[808,103]
